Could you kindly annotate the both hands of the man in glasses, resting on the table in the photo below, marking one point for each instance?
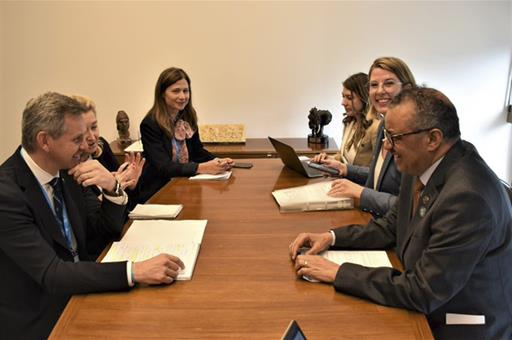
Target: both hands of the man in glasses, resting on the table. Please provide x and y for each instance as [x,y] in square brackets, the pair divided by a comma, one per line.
[310,264]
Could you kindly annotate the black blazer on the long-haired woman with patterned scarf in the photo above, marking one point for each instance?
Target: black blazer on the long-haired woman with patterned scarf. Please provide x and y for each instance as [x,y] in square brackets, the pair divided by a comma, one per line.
[159,167]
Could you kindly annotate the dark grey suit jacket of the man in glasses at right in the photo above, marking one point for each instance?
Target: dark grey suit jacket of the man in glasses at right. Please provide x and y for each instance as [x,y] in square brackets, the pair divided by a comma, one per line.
[456,251]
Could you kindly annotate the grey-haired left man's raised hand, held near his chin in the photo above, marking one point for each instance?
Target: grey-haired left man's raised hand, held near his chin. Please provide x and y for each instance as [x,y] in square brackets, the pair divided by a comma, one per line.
[91,172]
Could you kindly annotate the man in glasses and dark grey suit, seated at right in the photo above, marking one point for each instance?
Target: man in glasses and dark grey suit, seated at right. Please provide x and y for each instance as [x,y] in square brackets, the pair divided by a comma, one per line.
[451,229]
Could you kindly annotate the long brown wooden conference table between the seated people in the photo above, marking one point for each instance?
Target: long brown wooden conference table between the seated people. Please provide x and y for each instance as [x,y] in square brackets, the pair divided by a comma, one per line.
[244,285]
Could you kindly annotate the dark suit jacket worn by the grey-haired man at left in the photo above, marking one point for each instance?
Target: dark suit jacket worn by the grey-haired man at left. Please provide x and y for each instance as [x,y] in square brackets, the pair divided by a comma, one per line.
[38,273]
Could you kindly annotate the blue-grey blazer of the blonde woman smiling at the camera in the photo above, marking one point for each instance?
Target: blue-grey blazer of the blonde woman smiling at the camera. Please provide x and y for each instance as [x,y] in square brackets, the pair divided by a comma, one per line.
[377,202]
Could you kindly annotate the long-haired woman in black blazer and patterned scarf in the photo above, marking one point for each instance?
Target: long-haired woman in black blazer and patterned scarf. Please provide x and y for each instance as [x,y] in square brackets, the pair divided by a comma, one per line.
[170,136]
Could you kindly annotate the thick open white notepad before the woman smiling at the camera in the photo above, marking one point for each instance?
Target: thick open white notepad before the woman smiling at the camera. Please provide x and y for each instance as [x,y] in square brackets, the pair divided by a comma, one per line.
[310,197]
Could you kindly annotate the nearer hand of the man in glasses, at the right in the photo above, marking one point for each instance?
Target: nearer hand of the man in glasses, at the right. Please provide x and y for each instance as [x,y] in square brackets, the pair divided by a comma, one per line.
[316,267]
